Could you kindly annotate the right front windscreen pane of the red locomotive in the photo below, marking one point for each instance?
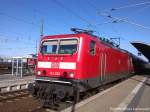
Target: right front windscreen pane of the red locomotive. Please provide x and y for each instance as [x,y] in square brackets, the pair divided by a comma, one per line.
[68,46]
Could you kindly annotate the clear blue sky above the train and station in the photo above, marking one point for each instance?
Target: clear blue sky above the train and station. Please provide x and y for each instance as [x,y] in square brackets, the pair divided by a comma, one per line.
[20,21]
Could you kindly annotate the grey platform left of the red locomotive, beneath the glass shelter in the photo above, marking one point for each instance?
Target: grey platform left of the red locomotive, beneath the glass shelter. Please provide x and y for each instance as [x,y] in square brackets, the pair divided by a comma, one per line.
[8,80]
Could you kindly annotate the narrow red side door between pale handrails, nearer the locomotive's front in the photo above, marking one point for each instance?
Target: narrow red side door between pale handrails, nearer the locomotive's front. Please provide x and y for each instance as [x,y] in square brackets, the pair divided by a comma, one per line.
[103,67]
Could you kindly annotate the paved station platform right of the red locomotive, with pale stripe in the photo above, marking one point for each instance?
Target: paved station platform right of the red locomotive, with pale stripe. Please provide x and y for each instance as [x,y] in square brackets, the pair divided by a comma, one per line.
[131,95]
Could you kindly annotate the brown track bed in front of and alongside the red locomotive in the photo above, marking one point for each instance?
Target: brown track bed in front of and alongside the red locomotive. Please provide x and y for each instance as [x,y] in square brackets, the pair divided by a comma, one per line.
[21,101]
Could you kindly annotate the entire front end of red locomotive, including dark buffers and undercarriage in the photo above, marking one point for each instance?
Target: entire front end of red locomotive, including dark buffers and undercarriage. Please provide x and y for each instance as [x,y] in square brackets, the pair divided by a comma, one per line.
[58,66]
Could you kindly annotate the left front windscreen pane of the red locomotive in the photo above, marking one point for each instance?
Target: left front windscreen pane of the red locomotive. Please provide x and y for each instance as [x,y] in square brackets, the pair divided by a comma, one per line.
[49,47]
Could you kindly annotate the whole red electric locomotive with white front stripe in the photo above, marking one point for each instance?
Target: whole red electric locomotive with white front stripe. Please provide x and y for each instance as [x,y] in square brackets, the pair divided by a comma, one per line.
[79,60]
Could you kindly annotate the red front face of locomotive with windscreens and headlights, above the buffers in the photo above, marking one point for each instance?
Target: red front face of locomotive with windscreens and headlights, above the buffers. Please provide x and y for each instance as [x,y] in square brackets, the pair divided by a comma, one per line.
[57,58]
